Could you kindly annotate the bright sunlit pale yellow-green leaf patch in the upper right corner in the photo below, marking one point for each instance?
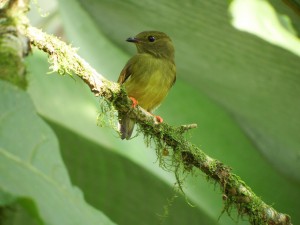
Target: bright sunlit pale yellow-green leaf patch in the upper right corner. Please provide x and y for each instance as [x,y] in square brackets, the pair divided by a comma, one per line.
[259,18]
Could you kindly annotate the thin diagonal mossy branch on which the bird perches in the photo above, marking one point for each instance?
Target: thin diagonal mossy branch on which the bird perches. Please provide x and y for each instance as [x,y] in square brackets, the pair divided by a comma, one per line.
[236,193]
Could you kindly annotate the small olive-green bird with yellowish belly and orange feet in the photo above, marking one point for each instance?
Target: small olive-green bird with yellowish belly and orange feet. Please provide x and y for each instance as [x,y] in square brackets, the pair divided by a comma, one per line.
[148,75]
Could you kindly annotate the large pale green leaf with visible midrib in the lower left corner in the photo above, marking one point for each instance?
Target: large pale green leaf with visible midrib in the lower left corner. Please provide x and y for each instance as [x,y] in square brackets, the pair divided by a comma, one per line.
[31,165]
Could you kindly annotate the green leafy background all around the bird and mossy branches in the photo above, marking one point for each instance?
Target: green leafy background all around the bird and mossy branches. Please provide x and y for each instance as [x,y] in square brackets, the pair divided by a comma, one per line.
[241,89]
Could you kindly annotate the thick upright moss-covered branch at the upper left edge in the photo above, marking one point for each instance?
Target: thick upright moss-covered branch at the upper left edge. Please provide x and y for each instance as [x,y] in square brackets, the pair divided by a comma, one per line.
[13,46]
